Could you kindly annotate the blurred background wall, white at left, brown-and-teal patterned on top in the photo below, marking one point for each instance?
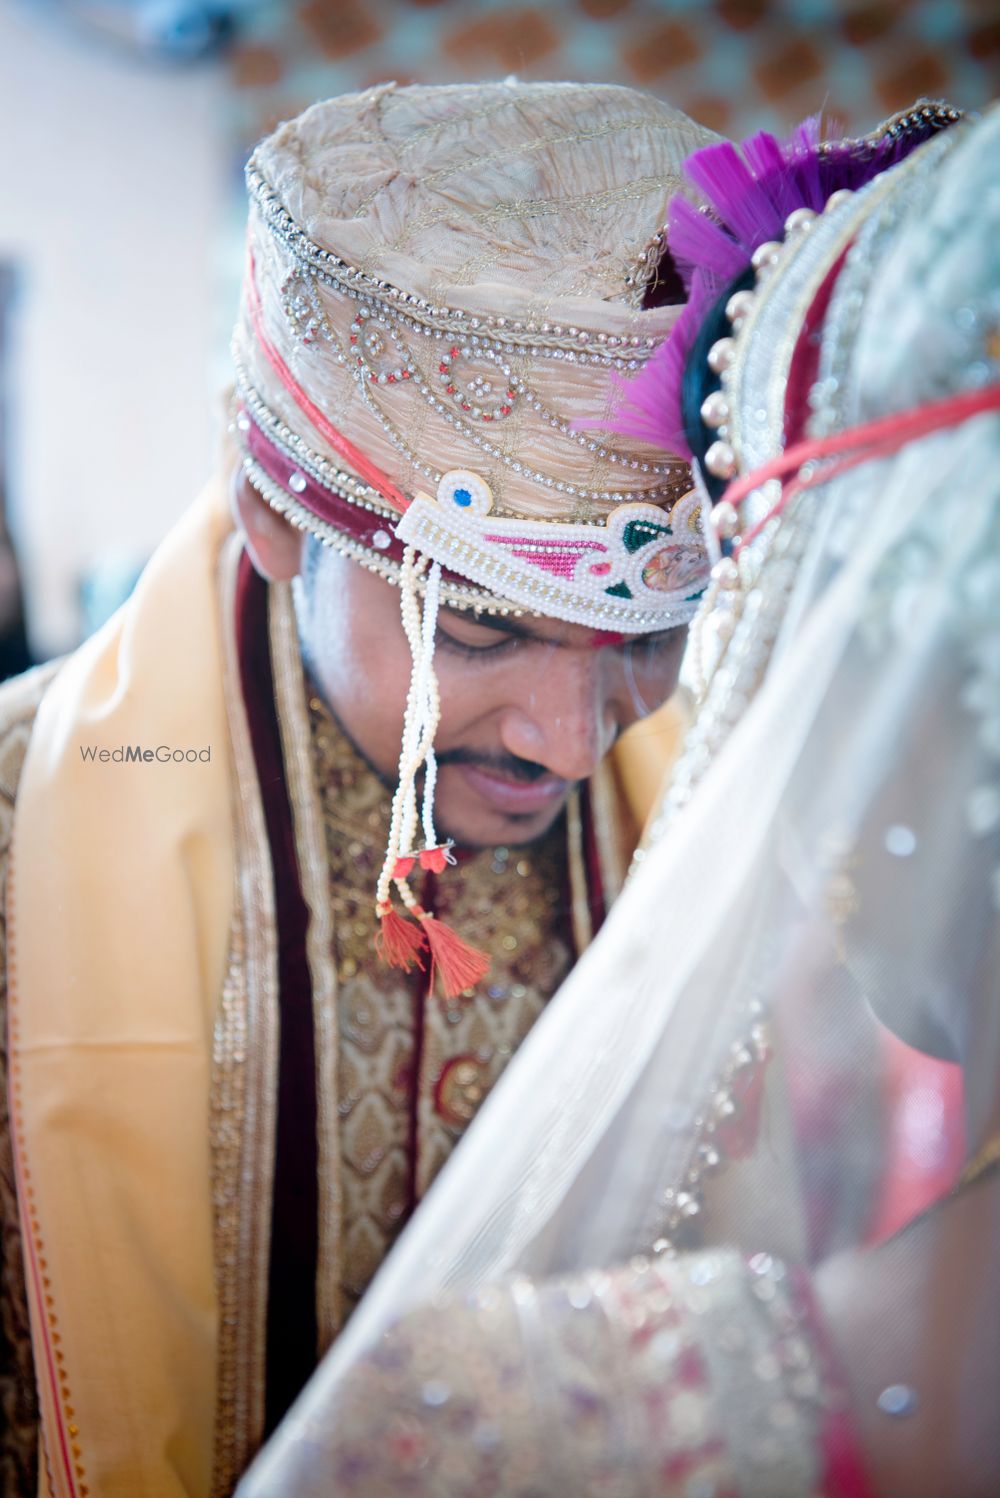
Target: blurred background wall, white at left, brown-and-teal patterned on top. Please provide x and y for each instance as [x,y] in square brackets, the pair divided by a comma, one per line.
[125,131]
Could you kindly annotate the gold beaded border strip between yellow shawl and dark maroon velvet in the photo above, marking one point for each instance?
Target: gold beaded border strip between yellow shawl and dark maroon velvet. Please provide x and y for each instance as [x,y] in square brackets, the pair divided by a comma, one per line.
[243,1094]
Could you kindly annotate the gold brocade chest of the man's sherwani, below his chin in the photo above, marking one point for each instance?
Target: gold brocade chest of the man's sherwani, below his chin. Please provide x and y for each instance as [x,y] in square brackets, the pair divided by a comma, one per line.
[513,904]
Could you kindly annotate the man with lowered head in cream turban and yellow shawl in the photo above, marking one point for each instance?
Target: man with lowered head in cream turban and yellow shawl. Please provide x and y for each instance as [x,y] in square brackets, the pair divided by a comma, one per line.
[258,998]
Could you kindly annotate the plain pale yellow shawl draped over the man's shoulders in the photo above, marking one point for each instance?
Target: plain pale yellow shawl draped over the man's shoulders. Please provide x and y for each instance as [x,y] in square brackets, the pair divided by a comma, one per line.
[119,915]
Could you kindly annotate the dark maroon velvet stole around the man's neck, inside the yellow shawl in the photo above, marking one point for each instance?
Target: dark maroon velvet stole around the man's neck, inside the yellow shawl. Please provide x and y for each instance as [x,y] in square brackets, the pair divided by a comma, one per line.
[293,1331]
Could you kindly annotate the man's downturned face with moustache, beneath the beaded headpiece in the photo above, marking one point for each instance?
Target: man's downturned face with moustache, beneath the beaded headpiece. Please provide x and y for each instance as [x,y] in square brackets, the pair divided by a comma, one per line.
[529,706]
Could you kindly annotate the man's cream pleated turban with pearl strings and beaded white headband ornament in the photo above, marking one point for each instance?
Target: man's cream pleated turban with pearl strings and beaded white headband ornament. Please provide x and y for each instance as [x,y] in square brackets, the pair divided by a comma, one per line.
[442,284]
